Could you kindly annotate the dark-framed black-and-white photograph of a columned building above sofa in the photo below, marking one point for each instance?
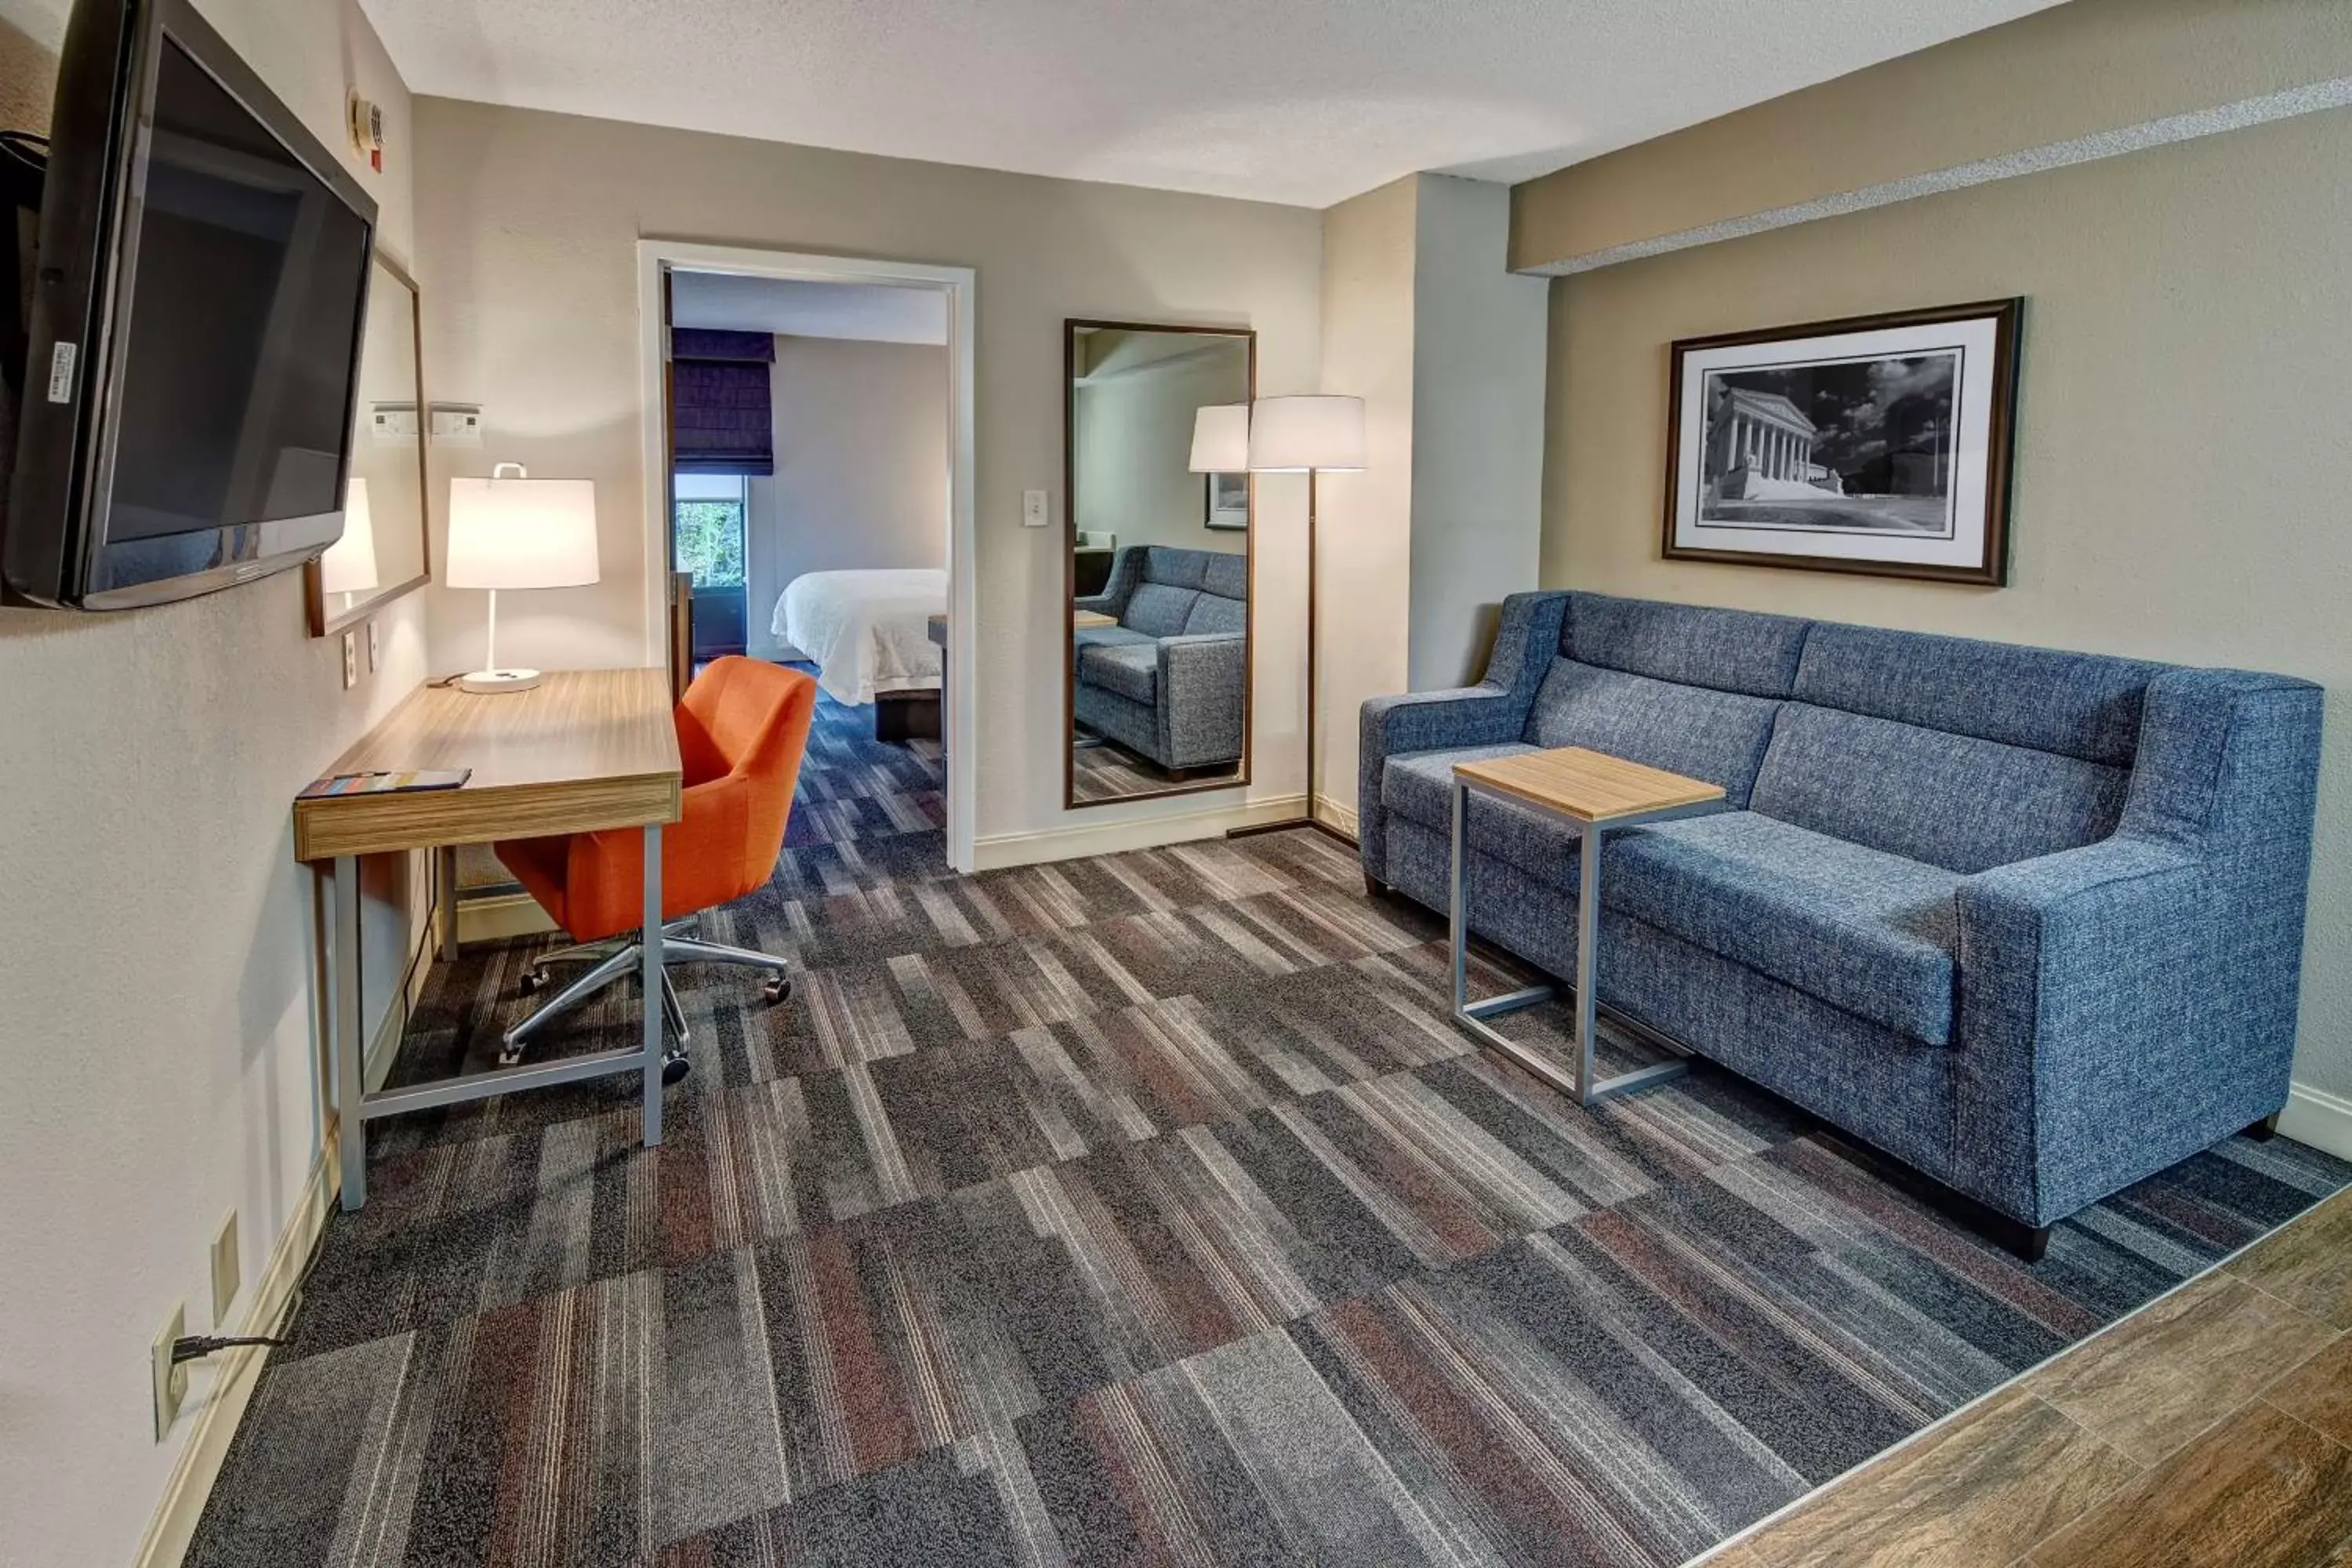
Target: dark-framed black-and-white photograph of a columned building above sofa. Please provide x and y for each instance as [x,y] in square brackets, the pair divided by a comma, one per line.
[1871,445]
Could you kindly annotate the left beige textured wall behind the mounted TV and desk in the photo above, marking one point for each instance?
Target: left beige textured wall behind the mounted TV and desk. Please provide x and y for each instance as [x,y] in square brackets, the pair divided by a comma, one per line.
[156,960]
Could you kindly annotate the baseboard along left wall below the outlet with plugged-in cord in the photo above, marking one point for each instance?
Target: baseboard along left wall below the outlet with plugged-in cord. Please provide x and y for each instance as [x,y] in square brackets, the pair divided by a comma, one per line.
[236,1372]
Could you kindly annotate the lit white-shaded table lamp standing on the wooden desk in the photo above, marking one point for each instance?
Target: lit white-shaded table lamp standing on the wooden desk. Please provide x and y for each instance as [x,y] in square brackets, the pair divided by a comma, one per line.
[519,532]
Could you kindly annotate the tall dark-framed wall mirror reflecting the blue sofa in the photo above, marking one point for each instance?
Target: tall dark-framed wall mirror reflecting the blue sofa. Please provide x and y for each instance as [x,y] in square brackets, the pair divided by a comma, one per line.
[1158,561]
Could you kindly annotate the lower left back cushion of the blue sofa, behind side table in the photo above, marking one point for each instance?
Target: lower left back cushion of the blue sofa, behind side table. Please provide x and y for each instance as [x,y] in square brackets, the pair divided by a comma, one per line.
[1688,730]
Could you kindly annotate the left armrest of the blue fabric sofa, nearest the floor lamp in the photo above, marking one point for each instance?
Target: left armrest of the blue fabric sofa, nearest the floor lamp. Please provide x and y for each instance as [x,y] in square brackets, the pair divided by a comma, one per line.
[1490,713]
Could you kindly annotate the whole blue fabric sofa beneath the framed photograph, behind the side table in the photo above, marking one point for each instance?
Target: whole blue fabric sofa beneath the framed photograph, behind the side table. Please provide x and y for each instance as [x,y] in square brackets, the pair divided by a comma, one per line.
[2026,920]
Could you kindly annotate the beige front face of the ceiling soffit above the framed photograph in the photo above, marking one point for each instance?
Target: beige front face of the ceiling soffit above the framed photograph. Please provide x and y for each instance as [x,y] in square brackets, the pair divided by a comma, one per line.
[2062,74]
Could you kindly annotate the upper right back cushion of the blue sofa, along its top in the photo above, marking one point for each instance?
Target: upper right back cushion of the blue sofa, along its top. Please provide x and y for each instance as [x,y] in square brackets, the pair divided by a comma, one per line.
[2071,704]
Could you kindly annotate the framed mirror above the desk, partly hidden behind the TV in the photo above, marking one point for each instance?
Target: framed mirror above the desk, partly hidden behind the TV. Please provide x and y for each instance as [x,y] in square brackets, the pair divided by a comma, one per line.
[385,551]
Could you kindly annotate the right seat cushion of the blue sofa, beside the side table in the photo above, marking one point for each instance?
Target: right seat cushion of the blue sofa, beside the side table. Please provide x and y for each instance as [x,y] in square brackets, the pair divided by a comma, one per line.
[1855,927]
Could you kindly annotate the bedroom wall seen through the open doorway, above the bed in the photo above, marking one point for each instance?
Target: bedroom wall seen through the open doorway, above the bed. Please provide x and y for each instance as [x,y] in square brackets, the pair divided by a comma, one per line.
[862,467]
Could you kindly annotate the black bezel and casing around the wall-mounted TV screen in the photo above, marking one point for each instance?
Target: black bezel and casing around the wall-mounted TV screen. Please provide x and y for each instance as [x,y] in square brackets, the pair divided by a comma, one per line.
[55,549]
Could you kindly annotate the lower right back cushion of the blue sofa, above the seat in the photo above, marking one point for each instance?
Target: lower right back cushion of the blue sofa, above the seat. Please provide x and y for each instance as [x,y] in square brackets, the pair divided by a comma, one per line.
[1932,796]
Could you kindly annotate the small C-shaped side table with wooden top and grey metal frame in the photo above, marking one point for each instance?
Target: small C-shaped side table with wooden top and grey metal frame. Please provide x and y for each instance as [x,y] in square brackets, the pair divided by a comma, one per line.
[1593,793]
